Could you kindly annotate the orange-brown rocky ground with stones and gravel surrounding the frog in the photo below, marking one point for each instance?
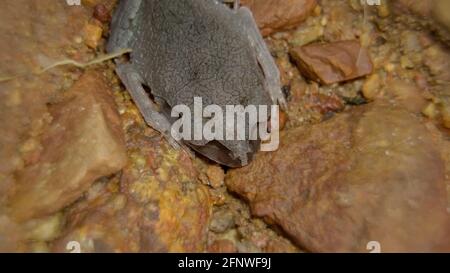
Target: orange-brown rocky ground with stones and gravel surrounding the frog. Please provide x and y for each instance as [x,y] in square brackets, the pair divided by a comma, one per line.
[364,155]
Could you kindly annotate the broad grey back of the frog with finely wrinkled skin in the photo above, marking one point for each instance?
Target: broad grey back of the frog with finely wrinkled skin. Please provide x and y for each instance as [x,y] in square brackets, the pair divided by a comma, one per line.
[193,48]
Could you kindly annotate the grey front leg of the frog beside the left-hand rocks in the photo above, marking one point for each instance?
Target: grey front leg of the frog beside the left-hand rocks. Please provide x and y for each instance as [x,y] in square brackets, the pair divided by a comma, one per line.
[149,110]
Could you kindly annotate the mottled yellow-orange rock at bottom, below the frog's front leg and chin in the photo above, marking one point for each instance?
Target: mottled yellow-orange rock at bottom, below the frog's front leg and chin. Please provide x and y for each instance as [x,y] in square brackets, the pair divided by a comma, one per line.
[157,206]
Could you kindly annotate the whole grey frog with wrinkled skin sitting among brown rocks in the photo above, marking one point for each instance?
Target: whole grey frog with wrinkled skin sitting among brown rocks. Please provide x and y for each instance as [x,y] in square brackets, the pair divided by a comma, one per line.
[194,48]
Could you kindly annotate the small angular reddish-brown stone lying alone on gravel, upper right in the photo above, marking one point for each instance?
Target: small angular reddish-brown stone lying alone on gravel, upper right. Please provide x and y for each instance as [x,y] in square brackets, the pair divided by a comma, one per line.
[333,62]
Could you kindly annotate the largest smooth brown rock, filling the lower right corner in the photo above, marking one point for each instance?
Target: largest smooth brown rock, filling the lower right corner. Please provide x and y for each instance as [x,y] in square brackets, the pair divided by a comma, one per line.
[373,174]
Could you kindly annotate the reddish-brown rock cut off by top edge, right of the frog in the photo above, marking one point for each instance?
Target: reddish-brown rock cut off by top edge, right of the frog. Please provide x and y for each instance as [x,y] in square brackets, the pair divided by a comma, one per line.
[276,15]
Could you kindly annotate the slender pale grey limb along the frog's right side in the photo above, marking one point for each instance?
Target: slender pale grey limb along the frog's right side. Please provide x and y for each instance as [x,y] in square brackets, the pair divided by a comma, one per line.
[265,59]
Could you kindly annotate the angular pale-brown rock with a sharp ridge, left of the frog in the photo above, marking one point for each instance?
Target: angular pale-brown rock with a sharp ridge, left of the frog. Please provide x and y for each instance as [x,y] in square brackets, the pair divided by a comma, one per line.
[84,142]
